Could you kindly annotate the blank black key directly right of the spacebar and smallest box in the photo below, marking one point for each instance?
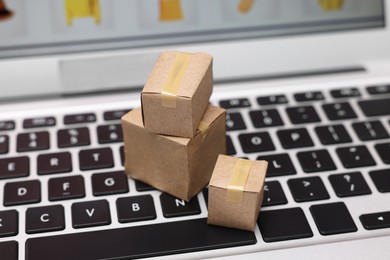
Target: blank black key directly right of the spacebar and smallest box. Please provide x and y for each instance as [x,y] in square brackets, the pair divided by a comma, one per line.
[284,224]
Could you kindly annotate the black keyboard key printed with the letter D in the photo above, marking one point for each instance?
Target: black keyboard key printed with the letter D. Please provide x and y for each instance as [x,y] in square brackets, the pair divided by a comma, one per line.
[18,193]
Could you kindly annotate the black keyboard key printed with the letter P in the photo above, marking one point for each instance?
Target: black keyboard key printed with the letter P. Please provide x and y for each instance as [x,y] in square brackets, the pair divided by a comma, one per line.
[295,138]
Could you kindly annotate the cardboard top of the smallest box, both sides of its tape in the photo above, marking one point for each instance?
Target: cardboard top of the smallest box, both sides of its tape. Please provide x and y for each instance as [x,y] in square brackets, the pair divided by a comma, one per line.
[225,166]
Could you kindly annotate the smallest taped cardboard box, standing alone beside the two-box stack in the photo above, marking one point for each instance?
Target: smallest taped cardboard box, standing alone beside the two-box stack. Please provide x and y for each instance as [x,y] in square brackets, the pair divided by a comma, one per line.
[236,192]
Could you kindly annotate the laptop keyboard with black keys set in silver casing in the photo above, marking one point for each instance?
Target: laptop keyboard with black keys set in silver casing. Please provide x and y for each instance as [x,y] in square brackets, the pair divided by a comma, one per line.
[64,188]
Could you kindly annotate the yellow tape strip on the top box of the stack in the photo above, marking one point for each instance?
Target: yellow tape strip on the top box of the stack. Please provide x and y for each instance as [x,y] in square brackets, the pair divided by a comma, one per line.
[172,83]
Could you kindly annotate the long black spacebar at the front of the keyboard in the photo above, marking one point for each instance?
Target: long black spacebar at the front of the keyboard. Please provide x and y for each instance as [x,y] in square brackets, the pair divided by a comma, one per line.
[137,242]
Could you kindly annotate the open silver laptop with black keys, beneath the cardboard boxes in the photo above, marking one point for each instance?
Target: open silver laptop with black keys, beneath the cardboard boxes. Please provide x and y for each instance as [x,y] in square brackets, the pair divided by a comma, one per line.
[306,86]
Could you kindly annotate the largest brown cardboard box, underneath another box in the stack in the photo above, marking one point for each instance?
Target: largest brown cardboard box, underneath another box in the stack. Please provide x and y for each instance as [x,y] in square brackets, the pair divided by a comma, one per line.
[176,165]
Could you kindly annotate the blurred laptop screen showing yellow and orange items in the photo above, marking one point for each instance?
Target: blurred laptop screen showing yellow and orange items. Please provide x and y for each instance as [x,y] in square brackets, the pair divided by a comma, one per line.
[60,26]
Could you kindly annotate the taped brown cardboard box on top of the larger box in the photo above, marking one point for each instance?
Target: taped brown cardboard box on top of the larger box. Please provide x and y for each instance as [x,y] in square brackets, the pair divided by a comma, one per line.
[177,93]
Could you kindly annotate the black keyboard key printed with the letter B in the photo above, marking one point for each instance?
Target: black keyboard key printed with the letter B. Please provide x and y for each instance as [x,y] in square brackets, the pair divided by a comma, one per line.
[136,208]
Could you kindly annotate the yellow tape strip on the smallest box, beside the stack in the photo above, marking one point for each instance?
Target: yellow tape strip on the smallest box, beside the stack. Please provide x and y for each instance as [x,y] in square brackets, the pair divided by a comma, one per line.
[238,180]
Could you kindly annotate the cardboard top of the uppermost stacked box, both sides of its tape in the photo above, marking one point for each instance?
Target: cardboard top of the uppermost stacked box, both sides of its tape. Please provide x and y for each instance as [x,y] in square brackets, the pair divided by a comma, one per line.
[196,69]
